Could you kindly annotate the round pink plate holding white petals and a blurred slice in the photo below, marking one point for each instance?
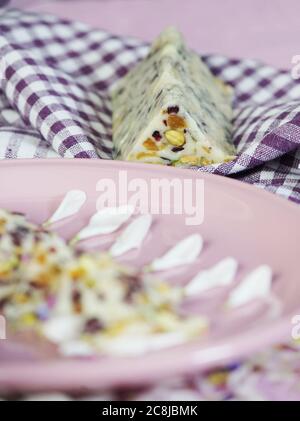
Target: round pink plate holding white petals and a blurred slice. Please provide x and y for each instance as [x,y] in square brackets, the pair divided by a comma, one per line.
[239,220]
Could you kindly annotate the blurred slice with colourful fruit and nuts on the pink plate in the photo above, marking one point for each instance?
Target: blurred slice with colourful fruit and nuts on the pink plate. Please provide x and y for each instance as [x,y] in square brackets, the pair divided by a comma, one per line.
[85,303]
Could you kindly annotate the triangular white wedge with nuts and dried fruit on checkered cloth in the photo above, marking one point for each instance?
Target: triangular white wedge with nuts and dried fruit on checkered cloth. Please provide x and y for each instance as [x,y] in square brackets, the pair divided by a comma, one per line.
[170,109]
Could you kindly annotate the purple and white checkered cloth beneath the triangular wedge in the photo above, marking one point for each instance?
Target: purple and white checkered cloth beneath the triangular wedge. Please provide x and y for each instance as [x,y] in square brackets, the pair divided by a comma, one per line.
[54,101]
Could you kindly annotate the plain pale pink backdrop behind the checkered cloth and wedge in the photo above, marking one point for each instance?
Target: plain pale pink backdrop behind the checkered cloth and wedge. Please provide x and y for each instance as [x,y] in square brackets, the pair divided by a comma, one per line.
[266,30]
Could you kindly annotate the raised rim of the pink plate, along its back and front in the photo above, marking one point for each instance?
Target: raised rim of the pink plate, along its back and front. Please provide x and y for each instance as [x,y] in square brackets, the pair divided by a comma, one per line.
[92,374]
